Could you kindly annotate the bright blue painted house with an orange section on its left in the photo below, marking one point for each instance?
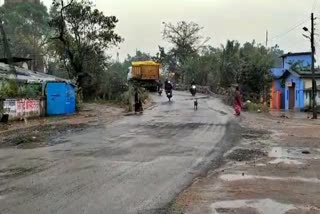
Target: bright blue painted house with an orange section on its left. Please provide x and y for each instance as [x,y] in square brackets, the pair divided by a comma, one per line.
[290,88]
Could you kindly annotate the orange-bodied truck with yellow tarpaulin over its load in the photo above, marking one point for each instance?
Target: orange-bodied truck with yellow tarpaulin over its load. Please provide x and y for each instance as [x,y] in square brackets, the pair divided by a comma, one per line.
[145,73]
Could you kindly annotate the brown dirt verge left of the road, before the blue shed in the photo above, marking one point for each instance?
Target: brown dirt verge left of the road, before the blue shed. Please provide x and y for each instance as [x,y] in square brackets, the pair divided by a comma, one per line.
[48,130]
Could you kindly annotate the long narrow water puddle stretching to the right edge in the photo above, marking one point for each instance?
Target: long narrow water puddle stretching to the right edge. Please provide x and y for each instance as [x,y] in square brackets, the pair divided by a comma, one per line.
[238,177]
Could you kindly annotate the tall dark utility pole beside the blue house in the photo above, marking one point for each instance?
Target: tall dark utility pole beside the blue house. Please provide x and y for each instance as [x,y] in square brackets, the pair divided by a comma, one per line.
[314,86]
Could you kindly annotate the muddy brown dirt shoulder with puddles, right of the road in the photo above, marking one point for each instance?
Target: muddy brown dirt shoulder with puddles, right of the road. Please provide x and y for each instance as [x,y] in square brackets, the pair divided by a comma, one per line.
[275,169]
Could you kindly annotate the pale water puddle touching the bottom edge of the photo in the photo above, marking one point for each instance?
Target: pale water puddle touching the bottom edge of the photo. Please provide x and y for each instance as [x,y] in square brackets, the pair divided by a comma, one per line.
[265,206]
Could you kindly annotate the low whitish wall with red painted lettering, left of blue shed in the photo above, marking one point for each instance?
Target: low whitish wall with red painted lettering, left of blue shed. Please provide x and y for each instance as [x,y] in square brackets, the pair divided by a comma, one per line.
[23,108]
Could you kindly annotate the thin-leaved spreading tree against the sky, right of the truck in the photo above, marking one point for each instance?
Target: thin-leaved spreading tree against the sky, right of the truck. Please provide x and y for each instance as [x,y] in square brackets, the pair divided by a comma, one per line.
[186,40]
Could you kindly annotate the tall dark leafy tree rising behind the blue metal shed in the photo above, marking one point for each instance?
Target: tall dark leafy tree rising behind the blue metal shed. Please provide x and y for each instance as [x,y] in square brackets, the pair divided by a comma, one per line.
[83,33]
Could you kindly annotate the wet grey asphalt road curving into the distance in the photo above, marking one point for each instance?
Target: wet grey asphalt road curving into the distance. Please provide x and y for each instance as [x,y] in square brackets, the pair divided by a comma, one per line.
[135,165]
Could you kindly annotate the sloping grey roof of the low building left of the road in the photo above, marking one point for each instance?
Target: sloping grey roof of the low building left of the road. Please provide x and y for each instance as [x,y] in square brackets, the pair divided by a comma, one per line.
[28,75]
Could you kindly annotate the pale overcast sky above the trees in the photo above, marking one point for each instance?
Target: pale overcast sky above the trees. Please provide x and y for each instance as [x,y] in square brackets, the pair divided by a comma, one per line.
[242,20]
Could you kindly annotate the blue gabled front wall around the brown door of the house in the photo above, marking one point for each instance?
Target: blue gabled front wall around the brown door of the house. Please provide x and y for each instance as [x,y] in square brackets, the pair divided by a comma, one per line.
[299,92]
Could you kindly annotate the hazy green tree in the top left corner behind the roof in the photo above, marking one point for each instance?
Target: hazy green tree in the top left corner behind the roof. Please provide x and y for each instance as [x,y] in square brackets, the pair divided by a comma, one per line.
[26,25]
